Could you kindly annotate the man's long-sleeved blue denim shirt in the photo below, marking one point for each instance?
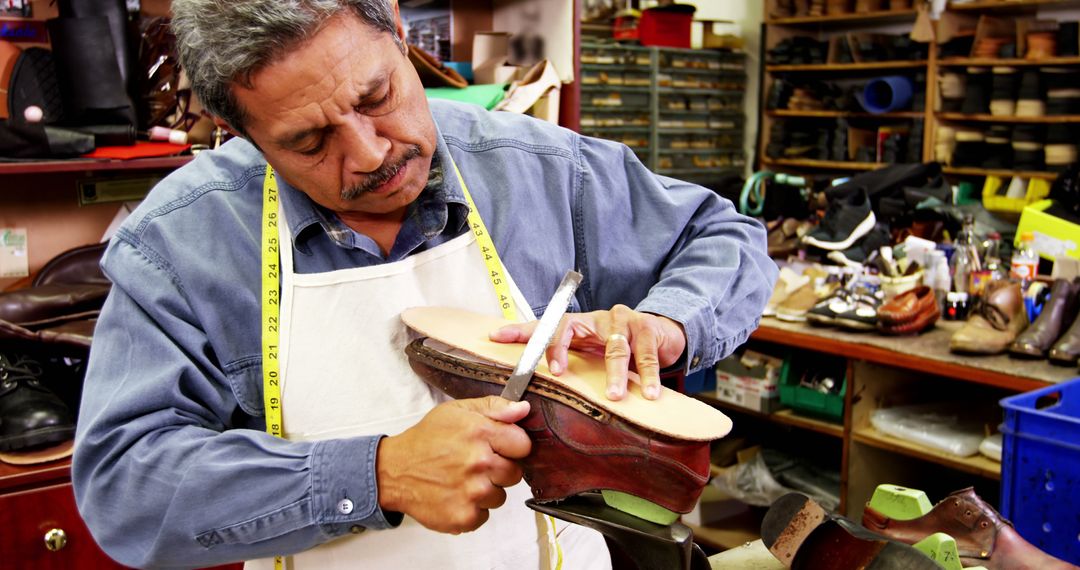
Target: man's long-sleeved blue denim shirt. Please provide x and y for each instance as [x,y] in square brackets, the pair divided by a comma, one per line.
[172,466]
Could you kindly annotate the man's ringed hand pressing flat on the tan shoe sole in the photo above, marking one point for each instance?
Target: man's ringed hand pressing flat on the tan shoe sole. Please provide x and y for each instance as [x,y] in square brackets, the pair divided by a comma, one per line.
[619,335]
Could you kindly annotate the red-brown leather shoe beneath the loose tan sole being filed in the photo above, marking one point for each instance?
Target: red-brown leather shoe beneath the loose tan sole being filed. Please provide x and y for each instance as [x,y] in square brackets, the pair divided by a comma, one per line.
[577,446]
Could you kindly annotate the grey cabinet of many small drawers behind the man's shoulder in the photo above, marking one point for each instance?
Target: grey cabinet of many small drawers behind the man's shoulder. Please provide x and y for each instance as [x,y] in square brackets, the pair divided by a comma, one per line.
[687,120]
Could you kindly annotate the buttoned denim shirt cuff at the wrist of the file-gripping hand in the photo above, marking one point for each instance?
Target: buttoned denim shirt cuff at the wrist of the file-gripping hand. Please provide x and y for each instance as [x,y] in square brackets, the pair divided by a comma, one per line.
[344,487]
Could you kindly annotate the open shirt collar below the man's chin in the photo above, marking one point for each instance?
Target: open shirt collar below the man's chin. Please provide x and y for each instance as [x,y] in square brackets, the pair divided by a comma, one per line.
[441,208]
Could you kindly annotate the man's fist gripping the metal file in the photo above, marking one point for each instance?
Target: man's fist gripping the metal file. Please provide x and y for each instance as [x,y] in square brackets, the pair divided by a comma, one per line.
[449,470]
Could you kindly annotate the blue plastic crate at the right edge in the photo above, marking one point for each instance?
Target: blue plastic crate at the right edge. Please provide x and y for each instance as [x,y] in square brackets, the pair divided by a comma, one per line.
[1041,468]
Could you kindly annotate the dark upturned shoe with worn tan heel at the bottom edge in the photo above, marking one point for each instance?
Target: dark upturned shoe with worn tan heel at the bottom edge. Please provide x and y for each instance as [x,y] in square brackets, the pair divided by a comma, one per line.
[803,536]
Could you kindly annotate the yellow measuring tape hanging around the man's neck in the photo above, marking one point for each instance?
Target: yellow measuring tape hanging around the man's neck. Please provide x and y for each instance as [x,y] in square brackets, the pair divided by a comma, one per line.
[272,304]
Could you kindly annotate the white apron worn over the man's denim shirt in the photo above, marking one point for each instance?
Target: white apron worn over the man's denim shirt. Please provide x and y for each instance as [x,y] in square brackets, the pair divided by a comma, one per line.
[345,374]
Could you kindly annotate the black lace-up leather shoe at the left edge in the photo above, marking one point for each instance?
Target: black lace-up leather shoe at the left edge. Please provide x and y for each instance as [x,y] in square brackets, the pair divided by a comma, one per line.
[31,414]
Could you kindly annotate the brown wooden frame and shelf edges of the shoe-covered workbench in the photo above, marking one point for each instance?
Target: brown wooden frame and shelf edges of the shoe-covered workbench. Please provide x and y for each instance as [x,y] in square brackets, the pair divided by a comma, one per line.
[890,371]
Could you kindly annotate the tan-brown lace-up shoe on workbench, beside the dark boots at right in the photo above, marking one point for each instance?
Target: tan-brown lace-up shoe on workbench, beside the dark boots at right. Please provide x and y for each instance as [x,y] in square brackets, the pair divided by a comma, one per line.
[996,321]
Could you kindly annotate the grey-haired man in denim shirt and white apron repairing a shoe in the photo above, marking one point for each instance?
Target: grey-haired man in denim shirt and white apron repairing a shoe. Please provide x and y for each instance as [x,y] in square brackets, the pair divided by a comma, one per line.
[173,468]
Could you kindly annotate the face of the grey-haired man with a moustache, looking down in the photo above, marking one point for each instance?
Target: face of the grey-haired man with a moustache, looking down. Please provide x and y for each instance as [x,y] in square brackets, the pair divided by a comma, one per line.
[344,119]
